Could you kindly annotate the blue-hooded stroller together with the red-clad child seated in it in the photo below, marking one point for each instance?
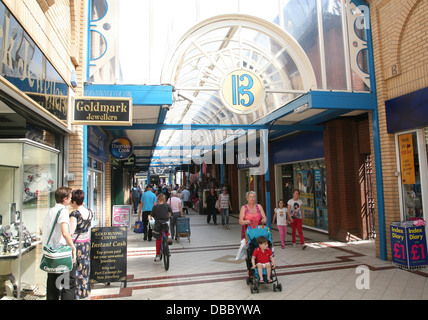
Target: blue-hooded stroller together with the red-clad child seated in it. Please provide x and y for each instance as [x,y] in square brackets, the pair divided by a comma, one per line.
[264,275]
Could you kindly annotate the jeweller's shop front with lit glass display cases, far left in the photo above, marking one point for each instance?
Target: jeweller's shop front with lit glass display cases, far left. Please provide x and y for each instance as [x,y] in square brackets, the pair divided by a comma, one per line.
[34,100]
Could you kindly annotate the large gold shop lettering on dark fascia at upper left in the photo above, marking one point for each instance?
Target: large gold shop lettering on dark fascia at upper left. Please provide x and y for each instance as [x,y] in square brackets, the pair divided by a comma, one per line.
[31,71]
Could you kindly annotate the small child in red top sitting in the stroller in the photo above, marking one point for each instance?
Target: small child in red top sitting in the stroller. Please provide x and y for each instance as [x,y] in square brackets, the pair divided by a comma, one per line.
[263,259]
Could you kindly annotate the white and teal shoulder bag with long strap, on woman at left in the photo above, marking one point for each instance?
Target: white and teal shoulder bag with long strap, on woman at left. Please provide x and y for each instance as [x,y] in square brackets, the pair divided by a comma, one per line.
[58,260]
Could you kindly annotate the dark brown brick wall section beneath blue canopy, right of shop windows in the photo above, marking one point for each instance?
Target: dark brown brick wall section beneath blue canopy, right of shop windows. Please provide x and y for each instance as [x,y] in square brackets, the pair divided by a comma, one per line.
[343,141]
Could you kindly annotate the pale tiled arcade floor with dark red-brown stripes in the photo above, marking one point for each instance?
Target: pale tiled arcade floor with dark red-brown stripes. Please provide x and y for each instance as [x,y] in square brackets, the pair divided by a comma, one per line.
[205,269]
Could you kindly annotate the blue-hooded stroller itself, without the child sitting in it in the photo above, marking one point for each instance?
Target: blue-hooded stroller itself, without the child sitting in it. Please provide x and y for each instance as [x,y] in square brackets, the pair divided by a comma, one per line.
[253,276]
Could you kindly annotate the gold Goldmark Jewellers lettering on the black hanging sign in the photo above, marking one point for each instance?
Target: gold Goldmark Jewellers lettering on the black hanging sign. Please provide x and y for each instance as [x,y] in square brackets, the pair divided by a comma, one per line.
[103,110]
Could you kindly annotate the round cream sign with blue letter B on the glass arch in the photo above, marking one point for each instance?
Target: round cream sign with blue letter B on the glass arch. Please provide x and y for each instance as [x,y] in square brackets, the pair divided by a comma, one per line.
[242,91]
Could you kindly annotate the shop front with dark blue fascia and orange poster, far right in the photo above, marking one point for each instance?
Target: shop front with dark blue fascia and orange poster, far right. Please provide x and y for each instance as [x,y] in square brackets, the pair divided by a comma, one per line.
[411,139]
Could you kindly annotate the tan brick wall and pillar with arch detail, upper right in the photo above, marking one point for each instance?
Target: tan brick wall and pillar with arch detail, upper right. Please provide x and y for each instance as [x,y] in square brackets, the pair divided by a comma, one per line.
[400,41]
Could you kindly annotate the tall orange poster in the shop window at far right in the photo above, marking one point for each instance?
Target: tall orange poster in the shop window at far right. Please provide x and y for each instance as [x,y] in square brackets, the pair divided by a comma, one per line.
[407,159]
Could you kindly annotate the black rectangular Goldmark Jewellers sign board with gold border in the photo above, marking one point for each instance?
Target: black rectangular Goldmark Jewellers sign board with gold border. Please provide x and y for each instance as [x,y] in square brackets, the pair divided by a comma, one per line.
[103,111]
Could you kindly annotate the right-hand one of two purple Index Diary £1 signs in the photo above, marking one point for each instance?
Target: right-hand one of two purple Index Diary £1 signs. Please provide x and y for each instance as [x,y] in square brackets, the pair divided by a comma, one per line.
[417,246]
